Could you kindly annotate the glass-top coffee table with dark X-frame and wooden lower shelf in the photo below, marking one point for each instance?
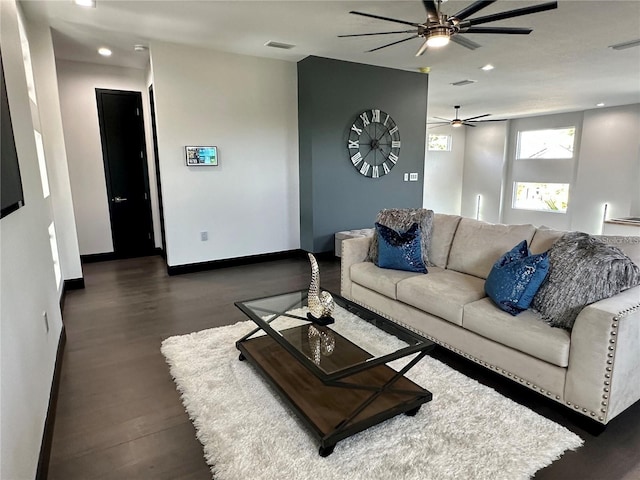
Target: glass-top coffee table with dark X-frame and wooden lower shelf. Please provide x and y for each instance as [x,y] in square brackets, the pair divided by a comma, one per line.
[334,377]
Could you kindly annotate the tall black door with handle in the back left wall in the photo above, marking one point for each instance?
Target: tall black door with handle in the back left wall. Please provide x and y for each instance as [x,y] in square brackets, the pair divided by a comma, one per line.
[125,165]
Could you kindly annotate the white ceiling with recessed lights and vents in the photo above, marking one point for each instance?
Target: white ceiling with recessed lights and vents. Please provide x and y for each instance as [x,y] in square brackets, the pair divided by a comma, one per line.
[564,65]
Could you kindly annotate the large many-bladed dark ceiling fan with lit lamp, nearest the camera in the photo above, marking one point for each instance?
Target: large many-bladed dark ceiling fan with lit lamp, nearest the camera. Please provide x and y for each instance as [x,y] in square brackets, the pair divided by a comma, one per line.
[439,27]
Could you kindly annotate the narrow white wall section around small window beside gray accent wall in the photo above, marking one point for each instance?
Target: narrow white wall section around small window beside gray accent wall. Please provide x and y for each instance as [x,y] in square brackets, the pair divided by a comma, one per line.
[442,173]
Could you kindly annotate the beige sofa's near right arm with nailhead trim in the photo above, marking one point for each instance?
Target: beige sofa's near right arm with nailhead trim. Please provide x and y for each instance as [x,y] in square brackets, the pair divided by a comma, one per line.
[603,376]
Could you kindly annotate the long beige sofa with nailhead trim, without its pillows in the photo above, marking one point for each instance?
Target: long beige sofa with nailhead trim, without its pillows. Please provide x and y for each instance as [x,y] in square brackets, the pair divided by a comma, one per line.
[593,369]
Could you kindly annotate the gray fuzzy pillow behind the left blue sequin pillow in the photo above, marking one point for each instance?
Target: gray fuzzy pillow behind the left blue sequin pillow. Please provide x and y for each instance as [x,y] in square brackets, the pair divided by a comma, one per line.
[401,219]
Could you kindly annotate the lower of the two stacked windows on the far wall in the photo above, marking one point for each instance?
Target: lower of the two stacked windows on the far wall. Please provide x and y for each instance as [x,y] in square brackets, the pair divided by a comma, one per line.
[545,197]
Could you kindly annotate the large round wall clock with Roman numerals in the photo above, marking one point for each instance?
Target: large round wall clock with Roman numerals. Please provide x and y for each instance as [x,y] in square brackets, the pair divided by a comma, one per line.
[374,143]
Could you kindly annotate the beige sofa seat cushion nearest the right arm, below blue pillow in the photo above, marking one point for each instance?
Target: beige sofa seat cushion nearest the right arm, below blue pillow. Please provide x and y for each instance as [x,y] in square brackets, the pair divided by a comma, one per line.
[525,332]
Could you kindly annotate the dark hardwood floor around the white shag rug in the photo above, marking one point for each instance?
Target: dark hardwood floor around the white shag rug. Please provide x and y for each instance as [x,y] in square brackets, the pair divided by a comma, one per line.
[119,415]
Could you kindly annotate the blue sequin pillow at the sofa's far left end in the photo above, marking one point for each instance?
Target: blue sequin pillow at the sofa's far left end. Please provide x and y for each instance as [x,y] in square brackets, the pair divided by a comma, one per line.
[400,250]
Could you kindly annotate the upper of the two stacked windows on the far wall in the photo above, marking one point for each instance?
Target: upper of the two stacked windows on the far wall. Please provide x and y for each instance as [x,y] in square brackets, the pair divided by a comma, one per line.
[556,143]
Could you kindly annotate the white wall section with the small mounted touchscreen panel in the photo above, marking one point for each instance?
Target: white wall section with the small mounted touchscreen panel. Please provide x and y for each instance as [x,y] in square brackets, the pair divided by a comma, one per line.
[247,107]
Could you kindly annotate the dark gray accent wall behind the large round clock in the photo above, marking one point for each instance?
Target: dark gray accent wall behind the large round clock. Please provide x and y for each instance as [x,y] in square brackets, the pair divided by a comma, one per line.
[334,196]
